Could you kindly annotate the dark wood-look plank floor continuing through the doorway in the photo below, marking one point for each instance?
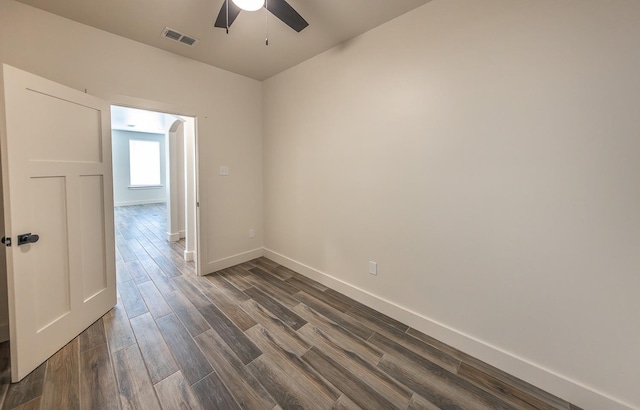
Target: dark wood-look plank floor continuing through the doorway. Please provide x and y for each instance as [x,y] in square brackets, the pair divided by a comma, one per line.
[255,336]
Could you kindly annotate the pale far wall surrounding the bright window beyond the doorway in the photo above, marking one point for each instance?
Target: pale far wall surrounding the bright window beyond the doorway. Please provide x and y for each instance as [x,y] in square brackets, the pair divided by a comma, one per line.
[122,193]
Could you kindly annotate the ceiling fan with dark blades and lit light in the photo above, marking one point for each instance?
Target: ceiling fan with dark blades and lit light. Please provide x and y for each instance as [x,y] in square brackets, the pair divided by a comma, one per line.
[279,8]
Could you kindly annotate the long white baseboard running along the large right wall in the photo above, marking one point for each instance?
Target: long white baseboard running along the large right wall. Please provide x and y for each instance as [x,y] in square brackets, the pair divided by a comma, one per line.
[567,389]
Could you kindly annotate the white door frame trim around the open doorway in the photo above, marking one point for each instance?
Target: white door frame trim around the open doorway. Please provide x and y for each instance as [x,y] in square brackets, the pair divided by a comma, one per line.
[177,110]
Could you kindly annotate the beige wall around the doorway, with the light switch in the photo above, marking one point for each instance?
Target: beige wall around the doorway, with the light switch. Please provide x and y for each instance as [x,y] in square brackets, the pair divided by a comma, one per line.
[227,107]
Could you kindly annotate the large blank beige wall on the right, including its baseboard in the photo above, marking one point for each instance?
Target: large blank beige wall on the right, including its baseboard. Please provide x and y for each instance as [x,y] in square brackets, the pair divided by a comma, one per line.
[486,154]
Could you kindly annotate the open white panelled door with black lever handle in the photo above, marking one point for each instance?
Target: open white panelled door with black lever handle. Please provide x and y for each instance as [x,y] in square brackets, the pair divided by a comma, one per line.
[56,183]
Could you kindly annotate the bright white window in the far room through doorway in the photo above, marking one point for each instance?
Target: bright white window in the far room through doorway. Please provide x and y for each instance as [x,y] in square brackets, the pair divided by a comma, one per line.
[144,163]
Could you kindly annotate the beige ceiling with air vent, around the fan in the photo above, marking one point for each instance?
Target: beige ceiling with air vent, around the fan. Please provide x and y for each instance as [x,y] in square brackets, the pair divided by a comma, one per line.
[243,50]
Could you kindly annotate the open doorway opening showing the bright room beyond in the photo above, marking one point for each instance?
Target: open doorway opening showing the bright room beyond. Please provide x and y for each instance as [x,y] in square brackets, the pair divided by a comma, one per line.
[154,183]
